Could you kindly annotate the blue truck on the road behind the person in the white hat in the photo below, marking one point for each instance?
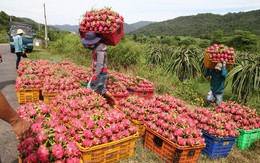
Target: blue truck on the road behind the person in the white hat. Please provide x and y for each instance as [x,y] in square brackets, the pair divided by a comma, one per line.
[27,36]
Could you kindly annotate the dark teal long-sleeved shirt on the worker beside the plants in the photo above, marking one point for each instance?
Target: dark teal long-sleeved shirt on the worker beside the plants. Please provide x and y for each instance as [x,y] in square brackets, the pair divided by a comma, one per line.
[217,82]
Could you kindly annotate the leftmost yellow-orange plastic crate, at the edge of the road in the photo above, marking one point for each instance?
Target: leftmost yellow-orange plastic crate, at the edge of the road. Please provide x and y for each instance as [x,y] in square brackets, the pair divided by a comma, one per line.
[28,95]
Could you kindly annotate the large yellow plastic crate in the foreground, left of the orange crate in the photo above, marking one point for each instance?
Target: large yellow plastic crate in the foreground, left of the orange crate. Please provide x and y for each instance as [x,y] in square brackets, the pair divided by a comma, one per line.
[110,152]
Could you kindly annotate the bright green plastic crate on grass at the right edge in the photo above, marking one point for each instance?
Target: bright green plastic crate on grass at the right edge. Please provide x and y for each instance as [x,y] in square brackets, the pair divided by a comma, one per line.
[247,138]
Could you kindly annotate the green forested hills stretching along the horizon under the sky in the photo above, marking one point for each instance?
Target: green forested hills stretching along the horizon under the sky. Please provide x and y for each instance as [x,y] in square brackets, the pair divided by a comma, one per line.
[200,25]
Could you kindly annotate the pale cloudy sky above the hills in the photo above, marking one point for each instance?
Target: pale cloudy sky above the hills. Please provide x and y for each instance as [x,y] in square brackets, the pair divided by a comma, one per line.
[60,12]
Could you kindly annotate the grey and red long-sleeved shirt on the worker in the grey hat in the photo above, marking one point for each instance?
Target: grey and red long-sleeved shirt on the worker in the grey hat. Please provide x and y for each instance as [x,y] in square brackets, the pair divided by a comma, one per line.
[99,60]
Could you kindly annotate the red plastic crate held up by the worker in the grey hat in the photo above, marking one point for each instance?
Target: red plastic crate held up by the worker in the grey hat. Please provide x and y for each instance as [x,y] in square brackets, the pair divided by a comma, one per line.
[112,38]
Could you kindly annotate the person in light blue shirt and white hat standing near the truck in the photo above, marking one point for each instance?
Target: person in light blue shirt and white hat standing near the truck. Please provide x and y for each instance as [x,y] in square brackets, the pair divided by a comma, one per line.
[18,45]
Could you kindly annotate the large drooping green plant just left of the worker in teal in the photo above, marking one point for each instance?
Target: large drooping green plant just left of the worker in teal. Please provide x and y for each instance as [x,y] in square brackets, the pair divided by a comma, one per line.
[184,63]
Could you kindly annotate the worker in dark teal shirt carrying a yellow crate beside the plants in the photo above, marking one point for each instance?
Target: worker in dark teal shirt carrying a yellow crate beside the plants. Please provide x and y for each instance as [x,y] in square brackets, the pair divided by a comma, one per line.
[217,83]
